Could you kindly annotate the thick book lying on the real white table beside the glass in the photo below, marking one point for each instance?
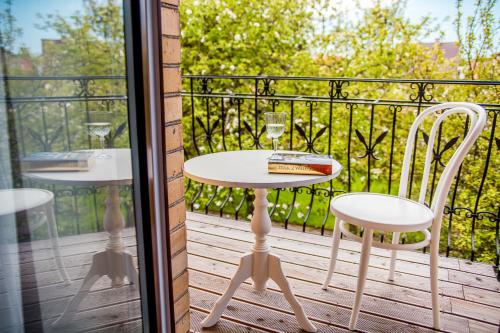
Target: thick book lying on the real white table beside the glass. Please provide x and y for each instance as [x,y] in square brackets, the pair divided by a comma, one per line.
[300,163]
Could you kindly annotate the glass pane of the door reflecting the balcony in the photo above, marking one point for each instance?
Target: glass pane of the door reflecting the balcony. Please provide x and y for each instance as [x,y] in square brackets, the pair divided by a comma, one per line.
[68,240]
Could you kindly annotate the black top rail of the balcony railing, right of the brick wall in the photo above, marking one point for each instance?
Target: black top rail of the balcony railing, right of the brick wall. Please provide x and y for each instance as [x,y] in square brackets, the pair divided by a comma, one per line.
[348,79]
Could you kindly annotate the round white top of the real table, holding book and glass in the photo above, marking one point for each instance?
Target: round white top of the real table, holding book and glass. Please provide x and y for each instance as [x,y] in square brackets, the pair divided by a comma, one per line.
[246,169]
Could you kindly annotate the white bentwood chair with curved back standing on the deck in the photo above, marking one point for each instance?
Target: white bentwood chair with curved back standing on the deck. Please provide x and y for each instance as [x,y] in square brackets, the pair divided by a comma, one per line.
[398,214]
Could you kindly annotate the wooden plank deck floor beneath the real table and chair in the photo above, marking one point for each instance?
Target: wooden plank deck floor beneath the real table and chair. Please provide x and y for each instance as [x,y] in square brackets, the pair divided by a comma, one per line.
[470,298]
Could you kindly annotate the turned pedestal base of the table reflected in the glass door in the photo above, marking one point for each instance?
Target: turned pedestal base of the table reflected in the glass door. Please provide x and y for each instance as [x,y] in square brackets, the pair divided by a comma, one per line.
[114,262]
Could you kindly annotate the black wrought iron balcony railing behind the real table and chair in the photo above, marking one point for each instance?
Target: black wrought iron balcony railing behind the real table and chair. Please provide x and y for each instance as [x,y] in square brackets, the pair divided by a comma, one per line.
[363,123]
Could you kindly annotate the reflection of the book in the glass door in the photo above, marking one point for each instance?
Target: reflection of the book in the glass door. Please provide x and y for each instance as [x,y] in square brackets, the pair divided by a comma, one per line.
[58,161]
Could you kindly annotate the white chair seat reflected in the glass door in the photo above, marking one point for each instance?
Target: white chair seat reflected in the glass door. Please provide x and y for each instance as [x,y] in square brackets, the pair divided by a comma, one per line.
[23,199]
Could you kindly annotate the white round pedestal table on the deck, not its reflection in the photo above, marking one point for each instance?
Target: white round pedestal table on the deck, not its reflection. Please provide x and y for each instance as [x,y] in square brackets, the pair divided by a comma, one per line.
[248,169]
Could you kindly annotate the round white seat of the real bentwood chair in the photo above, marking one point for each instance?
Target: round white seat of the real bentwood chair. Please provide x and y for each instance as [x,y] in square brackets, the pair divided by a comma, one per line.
[382,212]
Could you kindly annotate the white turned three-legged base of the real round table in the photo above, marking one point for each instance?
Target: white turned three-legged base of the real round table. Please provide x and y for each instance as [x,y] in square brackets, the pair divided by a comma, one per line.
[260,265]
